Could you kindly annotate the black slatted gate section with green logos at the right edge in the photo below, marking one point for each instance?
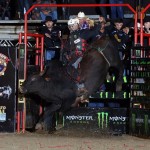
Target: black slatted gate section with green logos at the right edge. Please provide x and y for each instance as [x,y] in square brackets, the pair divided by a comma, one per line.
[140,75]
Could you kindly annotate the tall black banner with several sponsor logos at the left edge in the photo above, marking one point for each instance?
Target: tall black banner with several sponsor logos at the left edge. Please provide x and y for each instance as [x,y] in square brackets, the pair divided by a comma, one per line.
[7,89]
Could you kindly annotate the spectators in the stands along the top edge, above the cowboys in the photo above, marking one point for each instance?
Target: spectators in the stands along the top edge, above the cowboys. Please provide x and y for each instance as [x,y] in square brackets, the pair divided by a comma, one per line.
[13,10]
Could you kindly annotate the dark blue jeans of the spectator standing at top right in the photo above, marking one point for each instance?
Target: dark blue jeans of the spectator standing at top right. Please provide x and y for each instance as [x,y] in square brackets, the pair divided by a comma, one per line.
[116,12]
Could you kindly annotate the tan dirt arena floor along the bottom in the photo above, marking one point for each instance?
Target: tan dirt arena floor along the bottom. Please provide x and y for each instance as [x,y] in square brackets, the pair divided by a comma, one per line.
[71,140]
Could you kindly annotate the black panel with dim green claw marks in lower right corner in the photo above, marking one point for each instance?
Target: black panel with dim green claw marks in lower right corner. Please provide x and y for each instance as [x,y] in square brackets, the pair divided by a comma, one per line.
[140,122]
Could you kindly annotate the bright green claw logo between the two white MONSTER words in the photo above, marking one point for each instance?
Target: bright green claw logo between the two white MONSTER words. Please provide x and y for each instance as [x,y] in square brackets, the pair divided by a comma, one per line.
[102,119]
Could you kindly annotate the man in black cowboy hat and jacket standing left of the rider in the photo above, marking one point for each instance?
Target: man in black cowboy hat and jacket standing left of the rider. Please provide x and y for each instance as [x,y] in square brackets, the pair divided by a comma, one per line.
[52,39]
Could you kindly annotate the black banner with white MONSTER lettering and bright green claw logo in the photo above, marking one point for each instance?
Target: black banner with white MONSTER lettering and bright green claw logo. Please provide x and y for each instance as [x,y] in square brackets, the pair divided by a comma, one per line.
[102,118]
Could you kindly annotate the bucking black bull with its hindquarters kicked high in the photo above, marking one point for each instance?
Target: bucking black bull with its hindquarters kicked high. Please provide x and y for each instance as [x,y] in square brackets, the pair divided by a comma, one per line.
[58,89]
